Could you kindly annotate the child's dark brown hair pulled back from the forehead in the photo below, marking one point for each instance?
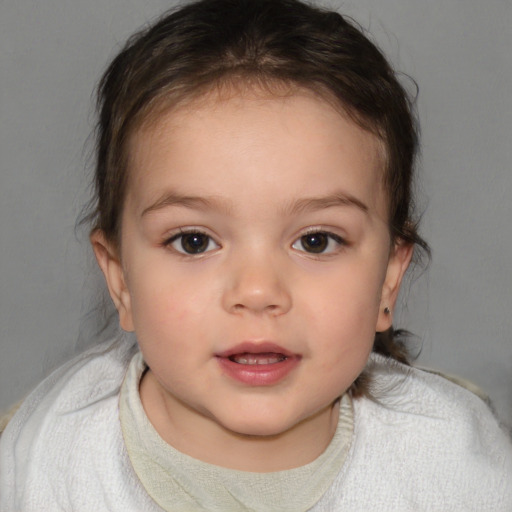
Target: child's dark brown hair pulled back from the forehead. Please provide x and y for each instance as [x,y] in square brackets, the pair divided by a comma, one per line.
[213,42]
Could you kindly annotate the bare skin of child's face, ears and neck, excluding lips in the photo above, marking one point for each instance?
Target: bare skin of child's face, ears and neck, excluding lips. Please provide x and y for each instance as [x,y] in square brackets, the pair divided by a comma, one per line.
[254,175]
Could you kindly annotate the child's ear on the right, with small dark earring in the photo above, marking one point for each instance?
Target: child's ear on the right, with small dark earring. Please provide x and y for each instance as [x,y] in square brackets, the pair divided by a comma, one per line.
[399,260]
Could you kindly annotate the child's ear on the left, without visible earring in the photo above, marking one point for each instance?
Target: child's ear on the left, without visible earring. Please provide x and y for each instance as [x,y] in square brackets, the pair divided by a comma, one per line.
[110,263]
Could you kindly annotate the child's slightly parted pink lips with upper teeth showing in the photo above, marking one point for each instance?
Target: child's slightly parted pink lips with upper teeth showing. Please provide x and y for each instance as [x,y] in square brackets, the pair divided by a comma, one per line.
[258,364]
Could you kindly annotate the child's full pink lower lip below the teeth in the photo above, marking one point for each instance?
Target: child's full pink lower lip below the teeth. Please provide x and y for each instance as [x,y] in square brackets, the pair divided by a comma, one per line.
[259,374]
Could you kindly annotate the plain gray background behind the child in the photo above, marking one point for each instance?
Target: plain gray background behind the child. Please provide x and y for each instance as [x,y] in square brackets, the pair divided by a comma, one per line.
[459,51]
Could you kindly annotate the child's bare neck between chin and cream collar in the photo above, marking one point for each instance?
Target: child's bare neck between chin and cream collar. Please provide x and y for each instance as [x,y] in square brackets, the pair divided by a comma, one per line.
[203,438]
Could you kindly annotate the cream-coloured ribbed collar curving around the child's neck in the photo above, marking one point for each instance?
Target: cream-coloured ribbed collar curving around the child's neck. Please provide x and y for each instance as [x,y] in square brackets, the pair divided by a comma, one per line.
[178,482]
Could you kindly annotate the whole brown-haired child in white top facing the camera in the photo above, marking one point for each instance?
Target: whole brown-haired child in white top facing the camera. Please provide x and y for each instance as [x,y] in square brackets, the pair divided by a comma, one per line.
[253,224]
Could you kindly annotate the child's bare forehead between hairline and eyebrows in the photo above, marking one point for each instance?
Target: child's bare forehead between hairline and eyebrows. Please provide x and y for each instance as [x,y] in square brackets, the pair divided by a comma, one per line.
[295,135]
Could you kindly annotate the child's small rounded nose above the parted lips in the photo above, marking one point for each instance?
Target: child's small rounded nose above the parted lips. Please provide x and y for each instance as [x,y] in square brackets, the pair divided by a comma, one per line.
[256,285]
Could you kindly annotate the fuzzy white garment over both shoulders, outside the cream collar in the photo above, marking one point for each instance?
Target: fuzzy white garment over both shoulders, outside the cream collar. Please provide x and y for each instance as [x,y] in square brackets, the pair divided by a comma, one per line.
[425,445]
